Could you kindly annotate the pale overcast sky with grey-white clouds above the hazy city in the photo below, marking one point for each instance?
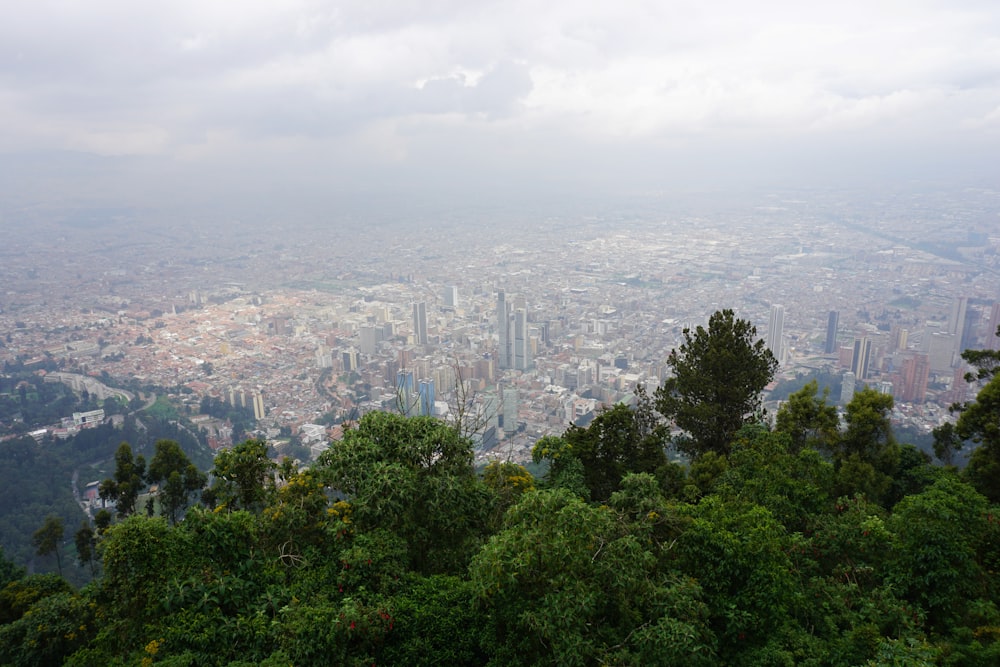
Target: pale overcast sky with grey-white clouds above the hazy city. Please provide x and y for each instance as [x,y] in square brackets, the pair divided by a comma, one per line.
[198,101]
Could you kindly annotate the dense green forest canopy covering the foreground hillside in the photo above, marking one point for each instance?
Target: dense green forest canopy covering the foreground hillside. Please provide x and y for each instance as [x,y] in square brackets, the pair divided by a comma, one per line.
[813,543]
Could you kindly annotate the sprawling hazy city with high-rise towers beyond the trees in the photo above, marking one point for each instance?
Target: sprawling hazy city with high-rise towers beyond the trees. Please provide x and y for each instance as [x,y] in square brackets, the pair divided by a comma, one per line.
[516,323]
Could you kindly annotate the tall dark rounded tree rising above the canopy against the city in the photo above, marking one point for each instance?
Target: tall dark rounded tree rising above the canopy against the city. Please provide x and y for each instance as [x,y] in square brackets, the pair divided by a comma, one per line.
[718,375]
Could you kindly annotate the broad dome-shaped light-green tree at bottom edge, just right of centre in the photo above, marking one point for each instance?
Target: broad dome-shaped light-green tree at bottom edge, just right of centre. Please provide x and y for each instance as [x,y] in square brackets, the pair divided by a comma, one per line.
[569,583]
